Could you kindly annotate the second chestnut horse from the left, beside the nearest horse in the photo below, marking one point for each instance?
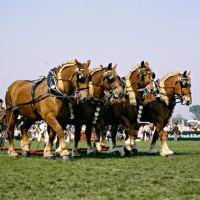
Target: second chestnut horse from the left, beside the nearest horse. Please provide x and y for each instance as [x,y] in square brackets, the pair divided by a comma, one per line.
[91,111]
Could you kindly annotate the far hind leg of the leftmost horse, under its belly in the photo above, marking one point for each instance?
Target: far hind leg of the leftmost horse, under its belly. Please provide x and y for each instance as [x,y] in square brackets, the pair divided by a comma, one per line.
[25,143]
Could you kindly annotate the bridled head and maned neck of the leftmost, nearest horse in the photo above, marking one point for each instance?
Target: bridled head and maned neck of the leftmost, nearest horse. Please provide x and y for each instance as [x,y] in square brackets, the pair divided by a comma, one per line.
[74,76]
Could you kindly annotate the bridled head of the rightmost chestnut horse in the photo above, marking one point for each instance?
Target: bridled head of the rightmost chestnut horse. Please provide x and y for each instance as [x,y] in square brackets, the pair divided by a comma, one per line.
[183,88]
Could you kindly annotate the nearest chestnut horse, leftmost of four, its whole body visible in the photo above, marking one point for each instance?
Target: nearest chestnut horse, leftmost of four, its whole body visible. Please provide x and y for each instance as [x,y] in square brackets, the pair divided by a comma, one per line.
[48,99]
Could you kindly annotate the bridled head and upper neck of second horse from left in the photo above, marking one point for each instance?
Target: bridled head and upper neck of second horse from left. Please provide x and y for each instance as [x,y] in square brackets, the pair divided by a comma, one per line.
[106,78]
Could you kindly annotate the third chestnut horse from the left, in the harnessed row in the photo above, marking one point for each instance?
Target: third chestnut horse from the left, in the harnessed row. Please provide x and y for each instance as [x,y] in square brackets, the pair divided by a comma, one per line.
[122,112]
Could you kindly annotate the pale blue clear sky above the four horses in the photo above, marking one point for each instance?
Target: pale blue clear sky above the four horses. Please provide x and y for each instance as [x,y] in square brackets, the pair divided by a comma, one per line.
[164,33]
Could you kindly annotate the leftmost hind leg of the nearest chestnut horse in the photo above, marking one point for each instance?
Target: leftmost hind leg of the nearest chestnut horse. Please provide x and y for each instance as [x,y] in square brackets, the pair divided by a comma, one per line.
[11,117]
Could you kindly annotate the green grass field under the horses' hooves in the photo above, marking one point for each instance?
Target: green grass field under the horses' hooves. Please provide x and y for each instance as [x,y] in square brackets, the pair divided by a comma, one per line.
[105,176]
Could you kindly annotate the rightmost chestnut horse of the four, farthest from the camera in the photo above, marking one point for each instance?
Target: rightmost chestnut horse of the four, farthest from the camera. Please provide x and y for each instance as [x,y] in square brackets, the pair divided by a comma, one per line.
[172,86]
